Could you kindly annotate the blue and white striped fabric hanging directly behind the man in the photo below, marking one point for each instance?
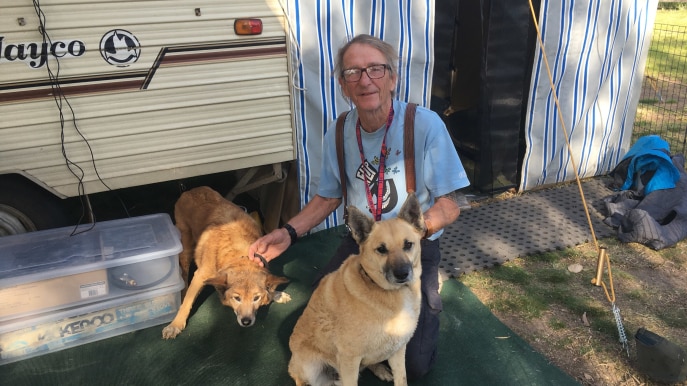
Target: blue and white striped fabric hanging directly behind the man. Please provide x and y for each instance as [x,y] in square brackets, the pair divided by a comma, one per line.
[319,28]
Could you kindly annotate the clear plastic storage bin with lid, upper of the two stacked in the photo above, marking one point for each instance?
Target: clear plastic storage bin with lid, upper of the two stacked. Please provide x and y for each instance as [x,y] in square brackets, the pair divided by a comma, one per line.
[53,270]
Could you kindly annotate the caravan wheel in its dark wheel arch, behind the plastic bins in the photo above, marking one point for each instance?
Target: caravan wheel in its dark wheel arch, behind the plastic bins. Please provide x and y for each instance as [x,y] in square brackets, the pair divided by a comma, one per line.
[25,207]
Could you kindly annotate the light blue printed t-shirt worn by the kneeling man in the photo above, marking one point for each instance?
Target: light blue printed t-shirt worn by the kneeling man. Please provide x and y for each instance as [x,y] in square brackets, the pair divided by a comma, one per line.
[438,170]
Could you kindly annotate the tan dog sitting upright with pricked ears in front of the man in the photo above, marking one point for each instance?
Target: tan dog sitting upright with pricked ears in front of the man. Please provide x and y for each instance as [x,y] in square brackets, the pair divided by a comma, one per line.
[365,312]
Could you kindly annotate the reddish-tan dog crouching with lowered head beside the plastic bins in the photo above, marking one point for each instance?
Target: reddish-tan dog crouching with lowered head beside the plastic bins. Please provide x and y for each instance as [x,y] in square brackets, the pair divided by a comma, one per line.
[216,234]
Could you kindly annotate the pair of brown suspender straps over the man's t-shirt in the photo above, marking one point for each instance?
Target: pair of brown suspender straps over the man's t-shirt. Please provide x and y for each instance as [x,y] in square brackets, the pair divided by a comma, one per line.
[408,152]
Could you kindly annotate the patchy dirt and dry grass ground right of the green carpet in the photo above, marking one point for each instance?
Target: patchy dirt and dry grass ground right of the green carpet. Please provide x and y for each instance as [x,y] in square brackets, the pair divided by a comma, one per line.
[650,290]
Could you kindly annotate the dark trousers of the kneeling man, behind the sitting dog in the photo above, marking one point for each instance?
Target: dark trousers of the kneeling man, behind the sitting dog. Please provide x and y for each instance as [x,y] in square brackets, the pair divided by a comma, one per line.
[422,349]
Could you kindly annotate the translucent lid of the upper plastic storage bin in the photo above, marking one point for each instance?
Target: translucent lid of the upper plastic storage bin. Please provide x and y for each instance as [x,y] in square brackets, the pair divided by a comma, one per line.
[51,253]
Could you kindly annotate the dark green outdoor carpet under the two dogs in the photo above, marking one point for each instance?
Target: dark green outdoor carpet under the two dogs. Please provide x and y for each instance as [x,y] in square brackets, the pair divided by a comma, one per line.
[475,348]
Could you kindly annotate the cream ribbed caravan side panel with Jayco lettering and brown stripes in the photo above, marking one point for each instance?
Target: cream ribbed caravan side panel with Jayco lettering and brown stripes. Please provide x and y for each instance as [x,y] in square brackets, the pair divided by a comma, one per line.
[140,92]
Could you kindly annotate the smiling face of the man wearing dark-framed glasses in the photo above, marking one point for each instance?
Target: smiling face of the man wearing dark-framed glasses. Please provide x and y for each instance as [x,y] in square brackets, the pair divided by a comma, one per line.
[367,94]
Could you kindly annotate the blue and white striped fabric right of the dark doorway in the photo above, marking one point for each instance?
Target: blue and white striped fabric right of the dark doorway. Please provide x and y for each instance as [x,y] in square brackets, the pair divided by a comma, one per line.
[596,51]
